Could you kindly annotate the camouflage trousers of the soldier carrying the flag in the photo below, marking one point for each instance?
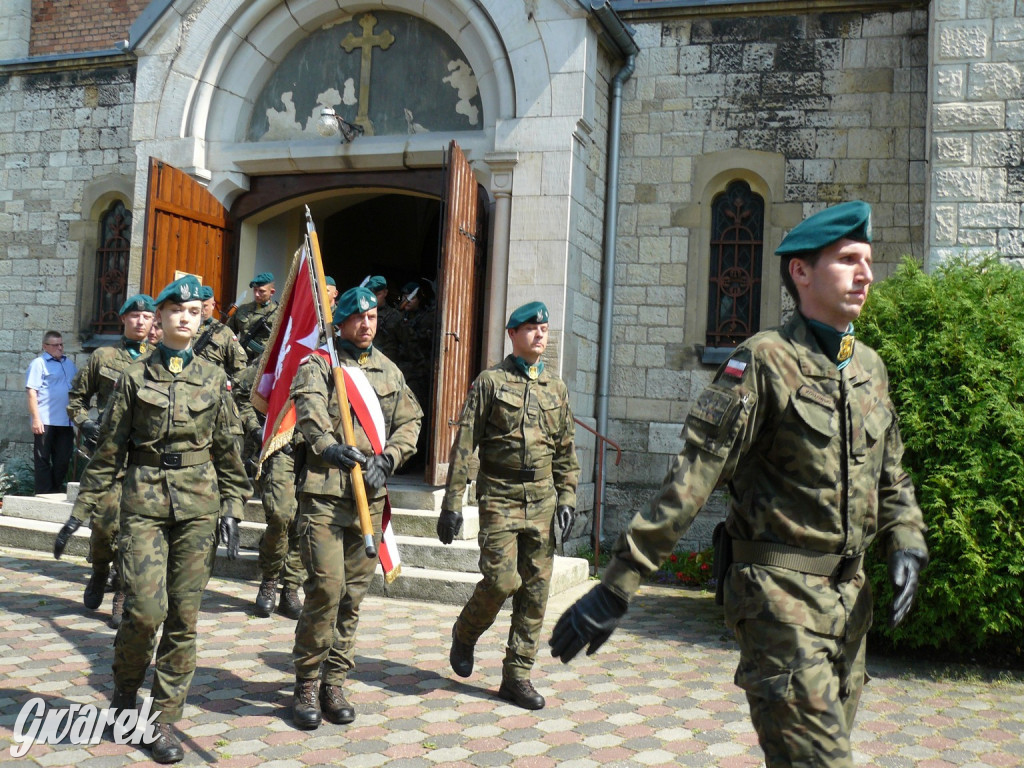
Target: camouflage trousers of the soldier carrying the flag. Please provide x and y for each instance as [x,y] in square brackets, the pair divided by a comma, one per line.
[338,576]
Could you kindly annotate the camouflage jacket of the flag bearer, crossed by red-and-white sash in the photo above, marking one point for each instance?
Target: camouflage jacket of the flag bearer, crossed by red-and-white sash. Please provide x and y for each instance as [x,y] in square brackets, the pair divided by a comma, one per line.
[319,419]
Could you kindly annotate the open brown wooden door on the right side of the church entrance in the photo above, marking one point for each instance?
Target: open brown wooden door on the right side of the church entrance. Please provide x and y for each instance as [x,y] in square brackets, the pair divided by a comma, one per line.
[459,280]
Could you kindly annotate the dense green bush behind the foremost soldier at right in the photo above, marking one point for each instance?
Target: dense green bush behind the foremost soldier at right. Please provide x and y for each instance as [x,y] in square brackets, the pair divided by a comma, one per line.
[954,344]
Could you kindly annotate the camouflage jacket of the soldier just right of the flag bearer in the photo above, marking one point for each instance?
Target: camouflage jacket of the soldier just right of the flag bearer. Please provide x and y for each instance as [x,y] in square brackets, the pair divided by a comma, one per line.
[517,424]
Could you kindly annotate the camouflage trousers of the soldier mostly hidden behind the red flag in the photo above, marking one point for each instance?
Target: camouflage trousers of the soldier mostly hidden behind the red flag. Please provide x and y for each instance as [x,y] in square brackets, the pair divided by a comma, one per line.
[279,547]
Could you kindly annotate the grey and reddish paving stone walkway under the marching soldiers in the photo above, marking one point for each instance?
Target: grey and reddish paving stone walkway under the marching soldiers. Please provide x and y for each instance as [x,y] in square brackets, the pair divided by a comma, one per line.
[659,694]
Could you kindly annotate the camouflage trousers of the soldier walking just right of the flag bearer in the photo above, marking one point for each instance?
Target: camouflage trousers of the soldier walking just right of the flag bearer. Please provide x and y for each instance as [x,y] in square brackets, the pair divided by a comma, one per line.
[518,551]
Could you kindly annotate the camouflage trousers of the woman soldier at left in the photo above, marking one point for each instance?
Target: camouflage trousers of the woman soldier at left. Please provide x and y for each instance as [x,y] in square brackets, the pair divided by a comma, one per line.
[165,566]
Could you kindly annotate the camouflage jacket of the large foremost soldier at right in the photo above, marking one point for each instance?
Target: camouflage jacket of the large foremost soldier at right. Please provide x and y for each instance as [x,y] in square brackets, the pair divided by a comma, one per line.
[813,458]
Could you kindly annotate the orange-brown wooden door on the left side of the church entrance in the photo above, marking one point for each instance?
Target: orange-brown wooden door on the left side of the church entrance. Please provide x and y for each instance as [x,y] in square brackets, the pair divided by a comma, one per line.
[187,230]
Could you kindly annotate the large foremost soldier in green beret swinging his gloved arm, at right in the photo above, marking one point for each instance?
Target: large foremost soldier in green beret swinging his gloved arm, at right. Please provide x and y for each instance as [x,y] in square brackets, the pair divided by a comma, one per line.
[800,424]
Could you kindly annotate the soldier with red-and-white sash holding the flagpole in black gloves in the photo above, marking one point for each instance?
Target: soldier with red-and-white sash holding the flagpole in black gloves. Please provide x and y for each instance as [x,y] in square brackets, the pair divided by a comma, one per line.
[330,539]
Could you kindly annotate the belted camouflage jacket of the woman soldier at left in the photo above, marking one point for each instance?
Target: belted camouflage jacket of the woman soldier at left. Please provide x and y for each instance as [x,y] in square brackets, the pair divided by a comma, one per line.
[154,412]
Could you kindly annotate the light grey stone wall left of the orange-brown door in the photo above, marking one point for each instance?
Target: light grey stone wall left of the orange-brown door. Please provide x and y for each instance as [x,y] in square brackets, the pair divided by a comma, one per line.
[64,135]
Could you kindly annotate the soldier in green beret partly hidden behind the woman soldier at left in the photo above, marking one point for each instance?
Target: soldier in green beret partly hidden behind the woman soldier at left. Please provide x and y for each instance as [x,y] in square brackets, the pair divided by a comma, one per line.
[99,378]
